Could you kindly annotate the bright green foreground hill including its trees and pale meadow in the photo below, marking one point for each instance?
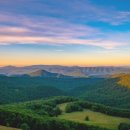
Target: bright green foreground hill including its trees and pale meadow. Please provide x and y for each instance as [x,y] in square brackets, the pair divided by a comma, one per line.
[47,115]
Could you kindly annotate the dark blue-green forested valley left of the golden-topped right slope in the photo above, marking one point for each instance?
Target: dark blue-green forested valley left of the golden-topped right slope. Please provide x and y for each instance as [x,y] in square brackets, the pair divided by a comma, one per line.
[15,89]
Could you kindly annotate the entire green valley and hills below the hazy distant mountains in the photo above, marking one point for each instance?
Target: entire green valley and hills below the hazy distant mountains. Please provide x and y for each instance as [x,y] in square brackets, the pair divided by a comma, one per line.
[40,98]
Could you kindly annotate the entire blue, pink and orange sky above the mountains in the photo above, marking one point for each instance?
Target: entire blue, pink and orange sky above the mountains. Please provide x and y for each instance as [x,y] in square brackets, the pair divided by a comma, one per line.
[65,32]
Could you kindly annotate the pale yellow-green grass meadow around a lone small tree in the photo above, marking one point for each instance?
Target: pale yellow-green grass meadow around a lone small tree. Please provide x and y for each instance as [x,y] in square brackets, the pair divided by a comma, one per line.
[95,118]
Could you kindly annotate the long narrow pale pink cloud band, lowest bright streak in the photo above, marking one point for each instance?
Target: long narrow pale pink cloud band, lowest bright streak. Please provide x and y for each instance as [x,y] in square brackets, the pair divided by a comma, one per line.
[5,40]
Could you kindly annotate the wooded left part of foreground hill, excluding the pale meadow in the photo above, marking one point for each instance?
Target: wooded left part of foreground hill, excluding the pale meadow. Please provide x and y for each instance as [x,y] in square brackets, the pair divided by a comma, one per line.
[40,115]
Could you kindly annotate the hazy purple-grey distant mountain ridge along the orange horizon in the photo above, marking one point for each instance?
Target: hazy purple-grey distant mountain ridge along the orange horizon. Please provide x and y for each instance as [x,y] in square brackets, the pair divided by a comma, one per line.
[74,71]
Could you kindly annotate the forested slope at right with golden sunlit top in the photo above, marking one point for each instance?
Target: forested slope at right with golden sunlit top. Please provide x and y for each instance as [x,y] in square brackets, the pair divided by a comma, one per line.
[111,91]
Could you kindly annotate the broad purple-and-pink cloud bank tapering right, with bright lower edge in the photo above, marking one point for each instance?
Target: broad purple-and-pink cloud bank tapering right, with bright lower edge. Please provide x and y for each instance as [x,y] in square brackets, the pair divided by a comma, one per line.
[47,30]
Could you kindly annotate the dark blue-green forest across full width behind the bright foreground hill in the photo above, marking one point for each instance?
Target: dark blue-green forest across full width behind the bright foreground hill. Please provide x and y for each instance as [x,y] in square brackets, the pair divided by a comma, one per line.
[107,91]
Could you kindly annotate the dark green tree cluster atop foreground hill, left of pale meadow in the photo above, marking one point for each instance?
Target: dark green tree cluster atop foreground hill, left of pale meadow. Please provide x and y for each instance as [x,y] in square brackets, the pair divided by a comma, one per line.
[48,107]
